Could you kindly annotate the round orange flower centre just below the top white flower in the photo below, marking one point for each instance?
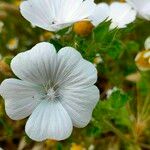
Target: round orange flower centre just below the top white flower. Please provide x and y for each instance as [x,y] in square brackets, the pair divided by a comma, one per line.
[83,28]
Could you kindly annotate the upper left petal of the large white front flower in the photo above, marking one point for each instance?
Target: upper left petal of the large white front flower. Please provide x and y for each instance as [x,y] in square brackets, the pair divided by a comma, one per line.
[36,65]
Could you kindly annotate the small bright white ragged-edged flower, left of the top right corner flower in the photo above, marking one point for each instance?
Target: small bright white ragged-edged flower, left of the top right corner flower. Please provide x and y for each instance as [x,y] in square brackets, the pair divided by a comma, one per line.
[121,14]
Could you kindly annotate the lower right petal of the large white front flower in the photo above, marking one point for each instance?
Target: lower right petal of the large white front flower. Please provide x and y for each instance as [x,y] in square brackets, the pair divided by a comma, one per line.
[79,103]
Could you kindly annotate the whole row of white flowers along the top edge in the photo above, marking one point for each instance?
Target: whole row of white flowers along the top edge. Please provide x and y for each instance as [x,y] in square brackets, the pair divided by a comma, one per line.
[56,15]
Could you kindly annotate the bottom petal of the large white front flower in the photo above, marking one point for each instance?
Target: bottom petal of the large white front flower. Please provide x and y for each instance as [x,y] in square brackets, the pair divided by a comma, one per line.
[49,121]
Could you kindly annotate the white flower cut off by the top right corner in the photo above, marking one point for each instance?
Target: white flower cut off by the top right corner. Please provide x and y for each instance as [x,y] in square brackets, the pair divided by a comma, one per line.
[142,7]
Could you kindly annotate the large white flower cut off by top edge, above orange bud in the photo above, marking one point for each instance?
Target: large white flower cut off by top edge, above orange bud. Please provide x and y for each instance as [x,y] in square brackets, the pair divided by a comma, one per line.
[54,15]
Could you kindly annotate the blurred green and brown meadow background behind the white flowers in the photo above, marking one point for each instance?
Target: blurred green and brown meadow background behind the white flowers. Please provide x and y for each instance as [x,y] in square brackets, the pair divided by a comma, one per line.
[121,121]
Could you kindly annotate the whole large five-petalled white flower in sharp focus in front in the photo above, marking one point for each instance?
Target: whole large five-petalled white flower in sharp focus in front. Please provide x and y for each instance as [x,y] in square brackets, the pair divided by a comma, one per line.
[56,89]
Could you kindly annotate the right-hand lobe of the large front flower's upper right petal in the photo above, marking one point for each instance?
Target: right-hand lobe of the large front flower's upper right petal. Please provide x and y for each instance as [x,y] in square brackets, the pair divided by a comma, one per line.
[82,74]
